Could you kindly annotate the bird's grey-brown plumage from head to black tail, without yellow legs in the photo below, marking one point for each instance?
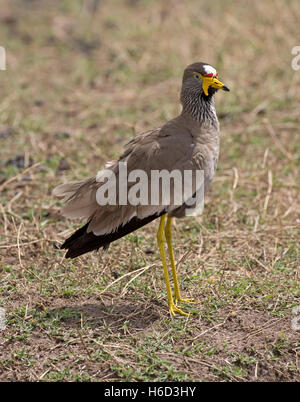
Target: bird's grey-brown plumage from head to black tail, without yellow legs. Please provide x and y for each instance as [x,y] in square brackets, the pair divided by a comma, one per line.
[190,141]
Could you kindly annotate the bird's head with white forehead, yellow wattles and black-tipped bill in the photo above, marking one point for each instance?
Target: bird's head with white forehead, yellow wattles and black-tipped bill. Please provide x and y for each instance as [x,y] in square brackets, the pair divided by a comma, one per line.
[204,77]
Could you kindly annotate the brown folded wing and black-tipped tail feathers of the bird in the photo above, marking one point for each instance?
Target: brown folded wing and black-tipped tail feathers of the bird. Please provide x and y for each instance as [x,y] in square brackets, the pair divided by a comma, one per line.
[106,223]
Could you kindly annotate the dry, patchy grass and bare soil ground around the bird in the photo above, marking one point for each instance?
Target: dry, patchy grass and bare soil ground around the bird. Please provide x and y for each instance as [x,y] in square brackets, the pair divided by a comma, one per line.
[78,85]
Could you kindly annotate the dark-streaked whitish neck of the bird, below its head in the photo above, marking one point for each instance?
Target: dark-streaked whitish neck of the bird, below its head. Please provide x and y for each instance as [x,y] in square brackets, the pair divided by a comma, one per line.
[198,107]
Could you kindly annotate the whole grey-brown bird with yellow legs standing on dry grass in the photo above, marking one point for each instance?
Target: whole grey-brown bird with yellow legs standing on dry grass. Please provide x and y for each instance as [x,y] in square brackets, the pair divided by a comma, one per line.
[188,142]
